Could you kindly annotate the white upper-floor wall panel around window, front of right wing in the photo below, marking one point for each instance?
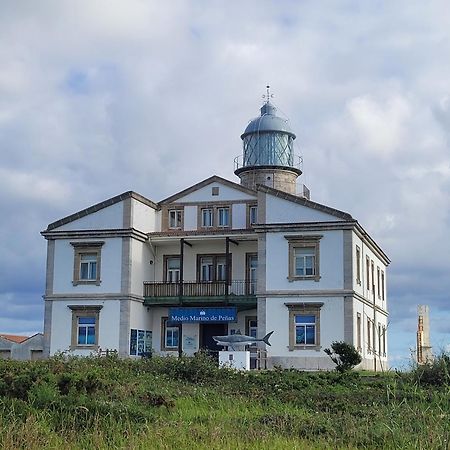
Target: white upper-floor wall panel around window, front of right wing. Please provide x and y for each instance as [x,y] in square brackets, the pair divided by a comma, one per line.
[331,262]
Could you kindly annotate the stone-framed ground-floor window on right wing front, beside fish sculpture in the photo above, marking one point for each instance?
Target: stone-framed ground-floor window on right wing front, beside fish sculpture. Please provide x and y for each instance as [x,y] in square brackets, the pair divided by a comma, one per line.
[304,326]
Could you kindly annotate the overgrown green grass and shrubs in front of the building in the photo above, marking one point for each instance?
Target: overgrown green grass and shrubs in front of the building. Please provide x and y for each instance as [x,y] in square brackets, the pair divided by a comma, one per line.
[166,403]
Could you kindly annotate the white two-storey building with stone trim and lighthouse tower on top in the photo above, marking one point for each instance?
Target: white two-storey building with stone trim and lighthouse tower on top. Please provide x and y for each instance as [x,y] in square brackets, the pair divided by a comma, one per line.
[219,258]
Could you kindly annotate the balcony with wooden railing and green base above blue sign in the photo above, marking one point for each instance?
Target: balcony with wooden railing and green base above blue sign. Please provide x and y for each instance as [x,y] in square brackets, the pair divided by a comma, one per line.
[236,293]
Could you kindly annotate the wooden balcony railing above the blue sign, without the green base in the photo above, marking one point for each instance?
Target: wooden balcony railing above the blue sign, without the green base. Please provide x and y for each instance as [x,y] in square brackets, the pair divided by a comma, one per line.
[200,289]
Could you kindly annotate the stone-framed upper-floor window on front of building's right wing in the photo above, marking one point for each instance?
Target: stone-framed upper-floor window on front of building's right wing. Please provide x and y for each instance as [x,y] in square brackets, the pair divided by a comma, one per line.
[303,257]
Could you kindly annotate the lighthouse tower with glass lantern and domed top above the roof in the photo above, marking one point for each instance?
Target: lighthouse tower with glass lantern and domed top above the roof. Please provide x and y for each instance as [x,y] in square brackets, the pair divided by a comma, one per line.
[268,155]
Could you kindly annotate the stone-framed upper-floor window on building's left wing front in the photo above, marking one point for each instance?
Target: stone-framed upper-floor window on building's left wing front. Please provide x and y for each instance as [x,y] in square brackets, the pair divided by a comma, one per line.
[87,257]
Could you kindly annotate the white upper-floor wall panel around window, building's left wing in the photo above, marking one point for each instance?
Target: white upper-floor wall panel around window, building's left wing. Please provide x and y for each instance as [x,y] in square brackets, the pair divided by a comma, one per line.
[110,272]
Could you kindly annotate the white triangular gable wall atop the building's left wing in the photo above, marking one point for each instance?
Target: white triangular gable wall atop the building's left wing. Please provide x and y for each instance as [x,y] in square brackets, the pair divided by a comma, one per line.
[106,218]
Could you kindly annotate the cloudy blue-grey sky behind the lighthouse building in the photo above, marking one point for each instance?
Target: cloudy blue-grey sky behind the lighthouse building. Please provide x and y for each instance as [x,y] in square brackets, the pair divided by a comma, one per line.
[98,97]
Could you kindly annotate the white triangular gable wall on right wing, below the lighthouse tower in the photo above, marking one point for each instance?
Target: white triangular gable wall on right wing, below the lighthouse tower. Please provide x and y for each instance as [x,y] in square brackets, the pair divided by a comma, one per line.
[279,210]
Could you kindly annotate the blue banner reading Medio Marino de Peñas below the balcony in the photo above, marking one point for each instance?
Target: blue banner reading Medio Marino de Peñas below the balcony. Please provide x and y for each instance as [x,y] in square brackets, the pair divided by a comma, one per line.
[202,315]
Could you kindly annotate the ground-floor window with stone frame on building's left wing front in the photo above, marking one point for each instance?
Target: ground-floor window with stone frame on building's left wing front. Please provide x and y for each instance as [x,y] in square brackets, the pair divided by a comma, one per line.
[85,326]
